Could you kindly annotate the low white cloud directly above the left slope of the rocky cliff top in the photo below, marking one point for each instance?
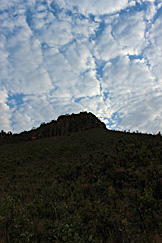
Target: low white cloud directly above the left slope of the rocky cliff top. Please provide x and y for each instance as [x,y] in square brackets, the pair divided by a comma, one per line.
[42,108]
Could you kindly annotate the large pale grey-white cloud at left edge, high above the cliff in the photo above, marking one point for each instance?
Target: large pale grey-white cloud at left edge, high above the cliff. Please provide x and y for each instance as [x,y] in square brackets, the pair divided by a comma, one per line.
[22,61]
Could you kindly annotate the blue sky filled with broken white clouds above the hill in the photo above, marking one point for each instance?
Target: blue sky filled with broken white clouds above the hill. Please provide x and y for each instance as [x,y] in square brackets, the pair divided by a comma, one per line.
[67,56]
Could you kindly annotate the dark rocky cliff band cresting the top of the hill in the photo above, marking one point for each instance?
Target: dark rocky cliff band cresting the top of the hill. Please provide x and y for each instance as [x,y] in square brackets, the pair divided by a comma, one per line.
[64,125]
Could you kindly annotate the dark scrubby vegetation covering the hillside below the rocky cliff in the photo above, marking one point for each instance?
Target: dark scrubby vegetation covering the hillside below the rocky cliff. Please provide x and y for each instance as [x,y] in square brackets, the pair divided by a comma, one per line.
[91,185]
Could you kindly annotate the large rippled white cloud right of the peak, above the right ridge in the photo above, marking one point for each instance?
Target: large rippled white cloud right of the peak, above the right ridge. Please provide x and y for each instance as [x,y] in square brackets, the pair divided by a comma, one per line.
[131,86]
